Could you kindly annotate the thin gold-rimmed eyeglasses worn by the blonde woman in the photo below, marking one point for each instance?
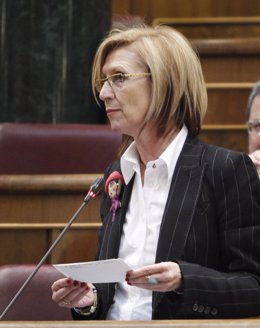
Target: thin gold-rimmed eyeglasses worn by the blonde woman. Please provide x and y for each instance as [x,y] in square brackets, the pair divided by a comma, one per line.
[117,80]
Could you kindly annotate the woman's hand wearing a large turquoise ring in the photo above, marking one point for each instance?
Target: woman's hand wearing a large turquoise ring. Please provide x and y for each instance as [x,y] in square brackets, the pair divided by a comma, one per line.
[161,277]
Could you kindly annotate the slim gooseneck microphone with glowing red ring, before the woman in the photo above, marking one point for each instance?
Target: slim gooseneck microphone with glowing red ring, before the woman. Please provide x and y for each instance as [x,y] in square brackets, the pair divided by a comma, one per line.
[94,190]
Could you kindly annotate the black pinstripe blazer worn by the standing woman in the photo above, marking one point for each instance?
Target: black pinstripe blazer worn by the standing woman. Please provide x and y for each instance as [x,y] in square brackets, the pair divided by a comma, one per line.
[210,226]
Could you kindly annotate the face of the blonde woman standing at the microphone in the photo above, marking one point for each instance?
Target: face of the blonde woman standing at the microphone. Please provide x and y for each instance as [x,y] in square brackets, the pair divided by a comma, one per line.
[127,100]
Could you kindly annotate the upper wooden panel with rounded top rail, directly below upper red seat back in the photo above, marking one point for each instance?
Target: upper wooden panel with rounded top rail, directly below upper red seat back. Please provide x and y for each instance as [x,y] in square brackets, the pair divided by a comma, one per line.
[46,198]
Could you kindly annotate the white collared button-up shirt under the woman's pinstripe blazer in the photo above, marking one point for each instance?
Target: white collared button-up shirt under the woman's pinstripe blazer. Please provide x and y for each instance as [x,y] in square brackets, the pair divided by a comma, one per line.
[142,225]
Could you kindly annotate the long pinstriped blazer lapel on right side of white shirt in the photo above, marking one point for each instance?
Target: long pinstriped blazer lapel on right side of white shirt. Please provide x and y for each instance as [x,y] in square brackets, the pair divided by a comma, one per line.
[181,204]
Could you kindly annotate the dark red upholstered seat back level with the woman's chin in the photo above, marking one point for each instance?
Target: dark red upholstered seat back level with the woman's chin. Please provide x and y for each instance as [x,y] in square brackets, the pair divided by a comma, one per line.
[56,148]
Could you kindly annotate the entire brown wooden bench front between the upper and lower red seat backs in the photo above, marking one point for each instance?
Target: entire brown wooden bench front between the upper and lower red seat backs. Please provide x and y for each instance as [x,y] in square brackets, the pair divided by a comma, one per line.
[46,199]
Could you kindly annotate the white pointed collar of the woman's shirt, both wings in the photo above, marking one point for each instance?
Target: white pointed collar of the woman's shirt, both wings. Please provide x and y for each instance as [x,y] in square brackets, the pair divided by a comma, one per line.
[130,159]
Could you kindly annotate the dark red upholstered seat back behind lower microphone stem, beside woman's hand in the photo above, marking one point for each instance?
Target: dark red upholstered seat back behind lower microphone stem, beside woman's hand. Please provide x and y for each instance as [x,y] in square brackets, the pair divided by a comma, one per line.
[35,302]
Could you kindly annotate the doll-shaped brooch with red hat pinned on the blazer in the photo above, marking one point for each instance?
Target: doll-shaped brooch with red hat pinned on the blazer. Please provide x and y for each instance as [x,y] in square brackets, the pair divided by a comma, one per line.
[113,188]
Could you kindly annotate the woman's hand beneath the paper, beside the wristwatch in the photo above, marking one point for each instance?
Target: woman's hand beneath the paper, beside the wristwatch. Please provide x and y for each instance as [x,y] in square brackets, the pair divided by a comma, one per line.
[72,293]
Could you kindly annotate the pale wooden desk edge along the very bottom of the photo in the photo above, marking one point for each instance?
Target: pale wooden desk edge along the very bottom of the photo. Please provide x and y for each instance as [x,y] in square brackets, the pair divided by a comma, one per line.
[236,323]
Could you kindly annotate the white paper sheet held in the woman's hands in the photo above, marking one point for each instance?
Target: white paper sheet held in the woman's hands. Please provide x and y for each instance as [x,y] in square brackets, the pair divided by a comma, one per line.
[112,270]
